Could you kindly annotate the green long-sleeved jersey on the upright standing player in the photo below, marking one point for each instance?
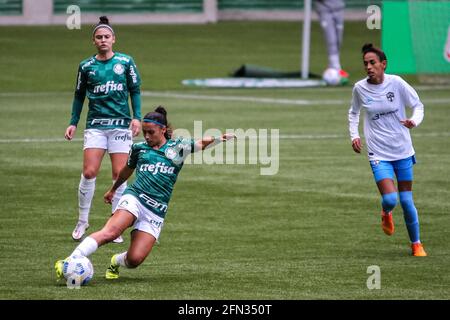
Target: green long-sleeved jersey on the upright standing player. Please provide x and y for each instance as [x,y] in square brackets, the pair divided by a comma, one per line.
[107,84]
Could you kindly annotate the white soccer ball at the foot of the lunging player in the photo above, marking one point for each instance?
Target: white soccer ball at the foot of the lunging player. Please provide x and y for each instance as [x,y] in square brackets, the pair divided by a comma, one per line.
[78,270]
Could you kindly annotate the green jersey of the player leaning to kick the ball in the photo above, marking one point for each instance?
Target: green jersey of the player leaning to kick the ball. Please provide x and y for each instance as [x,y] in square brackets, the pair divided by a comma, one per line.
[157,172]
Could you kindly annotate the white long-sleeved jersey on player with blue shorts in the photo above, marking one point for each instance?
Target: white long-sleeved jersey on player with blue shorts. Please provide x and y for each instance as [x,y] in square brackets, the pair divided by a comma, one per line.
[384,105]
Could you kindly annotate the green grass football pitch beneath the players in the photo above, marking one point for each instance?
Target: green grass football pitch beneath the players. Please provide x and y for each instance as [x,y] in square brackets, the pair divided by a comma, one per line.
[308,232]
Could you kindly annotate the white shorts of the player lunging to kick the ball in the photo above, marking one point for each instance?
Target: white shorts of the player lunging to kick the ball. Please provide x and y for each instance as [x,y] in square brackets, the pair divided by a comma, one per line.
[146,220]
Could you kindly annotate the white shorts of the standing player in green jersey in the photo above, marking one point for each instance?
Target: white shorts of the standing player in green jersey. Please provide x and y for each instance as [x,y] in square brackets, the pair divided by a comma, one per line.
[113,140]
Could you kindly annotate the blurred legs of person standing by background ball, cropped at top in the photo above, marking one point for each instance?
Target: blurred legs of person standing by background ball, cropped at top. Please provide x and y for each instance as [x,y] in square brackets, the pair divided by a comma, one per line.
[331,17]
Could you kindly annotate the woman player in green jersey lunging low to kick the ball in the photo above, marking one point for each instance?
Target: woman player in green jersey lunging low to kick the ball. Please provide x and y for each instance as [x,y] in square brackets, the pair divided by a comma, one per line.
[144,204]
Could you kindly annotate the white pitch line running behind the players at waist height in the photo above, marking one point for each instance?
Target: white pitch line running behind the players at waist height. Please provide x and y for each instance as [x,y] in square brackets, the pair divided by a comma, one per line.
[281,136]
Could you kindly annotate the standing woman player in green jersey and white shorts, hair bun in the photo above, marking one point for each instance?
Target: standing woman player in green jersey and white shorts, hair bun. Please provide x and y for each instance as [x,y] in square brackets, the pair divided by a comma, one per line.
[107,79]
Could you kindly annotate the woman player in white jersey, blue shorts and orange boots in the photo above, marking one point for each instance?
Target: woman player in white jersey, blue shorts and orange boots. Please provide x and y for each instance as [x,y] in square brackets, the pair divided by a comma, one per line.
[384,98]
